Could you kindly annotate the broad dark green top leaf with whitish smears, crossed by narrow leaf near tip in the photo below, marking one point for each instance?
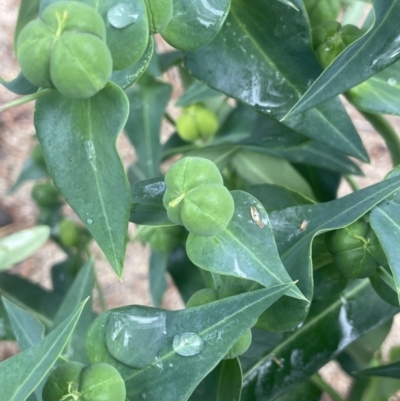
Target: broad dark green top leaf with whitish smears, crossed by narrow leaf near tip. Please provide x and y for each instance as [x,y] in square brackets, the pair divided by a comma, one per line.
[268,64]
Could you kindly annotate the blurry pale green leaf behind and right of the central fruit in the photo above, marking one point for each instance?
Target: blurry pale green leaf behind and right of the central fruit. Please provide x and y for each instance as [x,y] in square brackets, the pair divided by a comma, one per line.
[257,168]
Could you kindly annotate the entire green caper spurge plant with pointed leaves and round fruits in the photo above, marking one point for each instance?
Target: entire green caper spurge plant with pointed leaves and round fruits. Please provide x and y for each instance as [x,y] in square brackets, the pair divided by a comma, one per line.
[278,275]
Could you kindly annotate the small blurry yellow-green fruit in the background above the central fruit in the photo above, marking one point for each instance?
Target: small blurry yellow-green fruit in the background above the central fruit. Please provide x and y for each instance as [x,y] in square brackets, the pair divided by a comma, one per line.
[196,122]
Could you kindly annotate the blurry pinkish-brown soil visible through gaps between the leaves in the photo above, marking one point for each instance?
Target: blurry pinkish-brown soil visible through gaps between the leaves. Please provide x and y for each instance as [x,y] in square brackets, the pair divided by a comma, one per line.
[16,142]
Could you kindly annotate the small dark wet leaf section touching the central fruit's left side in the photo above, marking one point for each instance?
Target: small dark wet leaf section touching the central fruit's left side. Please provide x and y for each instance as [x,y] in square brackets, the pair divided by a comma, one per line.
[147,206]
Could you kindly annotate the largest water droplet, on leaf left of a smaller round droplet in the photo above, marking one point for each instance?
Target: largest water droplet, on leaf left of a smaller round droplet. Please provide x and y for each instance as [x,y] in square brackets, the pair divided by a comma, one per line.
[136,337]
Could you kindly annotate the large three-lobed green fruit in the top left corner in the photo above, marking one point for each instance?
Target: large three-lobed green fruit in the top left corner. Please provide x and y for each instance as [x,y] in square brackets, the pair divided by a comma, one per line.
[66,49]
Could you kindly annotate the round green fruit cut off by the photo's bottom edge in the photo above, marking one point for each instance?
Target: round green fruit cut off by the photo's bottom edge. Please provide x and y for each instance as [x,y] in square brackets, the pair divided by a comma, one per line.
[74,381]
